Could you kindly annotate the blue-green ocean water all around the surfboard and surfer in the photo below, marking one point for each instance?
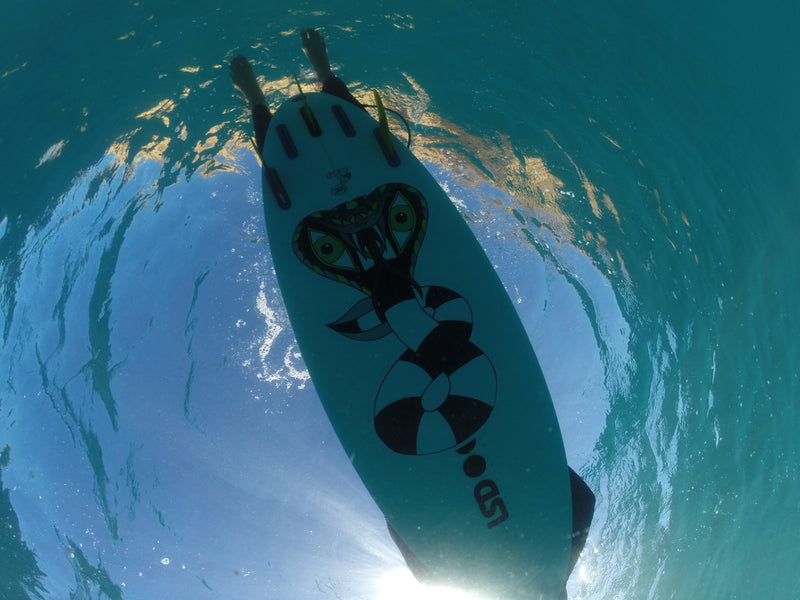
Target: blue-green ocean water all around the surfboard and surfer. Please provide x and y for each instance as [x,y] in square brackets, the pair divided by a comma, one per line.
[632,169]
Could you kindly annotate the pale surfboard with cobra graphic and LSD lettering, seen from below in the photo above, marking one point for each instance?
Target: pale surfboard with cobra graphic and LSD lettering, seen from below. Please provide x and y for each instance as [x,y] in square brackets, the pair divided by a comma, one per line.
[416,352]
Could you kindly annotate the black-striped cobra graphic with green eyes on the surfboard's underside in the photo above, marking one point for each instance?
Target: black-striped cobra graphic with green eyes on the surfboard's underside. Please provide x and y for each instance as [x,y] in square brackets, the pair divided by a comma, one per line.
[442,388]
